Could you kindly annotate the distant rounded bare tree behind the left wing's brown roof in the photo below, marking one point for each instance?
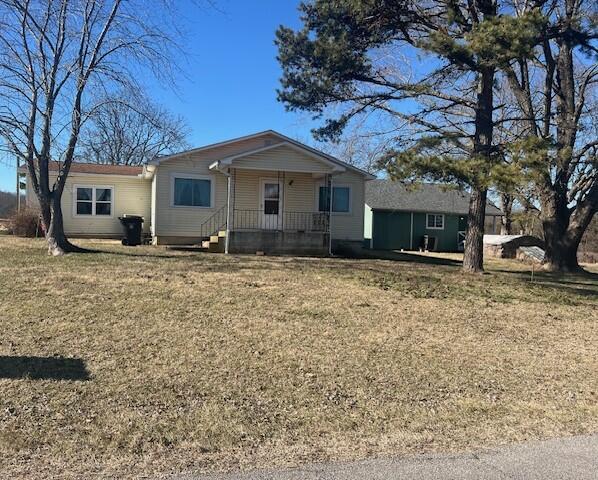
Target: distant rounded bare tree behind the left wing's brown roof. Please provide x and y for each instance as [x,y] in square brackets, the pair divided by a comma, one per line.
[131,130]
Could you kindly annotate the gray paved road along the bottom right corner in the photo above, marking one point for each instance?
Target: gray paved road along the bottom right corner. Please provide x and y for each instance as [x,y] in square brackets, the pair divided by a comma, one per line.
[567,458]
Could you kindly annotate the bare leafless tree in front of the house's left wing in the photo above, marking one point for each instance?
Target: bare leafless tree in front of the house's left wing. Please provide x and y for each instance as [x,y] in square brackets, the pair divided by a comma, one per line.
[52,54]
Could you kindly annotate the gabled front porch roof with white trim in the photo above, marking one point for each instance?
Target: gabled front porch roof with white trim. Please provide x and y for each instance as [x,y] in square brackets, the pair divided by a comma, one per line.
[284,156]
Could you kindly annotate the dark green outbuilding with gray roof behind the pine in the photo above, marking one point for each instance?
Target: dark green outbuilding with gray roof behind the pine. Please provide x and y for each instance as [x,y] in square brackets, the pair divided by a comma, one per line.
[419,217]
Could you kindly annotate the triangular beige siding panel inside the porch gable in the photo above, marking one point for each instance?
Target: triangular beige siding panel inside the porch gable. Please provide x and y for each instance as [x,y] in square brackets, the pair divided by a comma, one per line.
[292,159]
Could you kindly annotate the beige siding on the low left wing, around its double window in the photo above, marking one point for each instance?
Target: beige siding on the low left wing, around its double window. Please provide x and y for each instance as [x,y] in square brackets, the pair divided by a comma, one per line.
[131,195]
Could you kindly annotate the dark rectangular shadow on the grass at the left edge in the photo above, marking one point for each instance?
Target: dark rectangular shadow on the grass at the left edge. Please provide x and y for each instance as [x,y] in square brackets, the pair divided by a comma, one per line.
[43,368]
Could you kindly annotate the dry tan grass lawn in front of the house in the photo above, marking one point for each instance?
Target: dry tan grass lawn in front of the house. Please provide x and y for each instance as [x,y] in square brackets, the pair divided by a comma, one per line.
[153,362]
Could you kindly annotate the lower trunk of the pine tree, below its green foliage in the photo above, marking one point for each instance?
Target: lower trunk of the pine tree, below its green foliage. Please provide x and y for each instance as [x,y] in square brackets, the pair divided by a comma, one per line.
[473,256]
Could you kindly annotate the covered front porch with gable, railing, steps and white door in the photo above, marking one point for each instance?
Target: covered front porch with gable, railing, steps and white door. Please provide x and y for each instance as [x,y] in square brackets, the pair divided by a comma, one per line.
[274,204]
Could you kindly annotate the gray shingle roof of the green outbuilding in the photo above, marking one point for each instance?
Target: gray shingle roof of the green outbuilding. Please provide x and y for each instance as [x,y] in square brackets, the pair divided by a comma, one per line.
[426,197]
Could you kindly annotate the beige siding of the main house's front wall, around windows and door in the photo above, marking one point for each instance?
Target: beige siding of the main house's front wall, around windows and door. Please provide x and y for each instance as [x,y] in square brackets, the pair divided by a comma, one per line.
[299,196]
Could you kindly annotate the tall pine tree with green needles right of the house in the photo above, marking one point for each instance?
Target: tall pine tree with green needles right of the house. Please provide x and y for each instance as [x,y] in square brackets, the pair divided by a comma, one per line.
[351,58]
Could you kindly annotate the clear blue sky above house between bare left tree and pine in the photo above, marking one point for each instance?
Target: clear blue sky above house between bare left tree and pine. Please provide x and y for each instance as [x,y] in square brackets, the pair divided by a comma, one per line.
[231,76]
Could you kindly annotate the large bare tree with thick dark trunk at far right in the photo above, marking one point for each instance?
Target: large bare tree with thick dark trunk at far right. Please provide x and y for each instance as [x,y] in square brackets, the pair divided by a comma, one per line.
[555,93]
